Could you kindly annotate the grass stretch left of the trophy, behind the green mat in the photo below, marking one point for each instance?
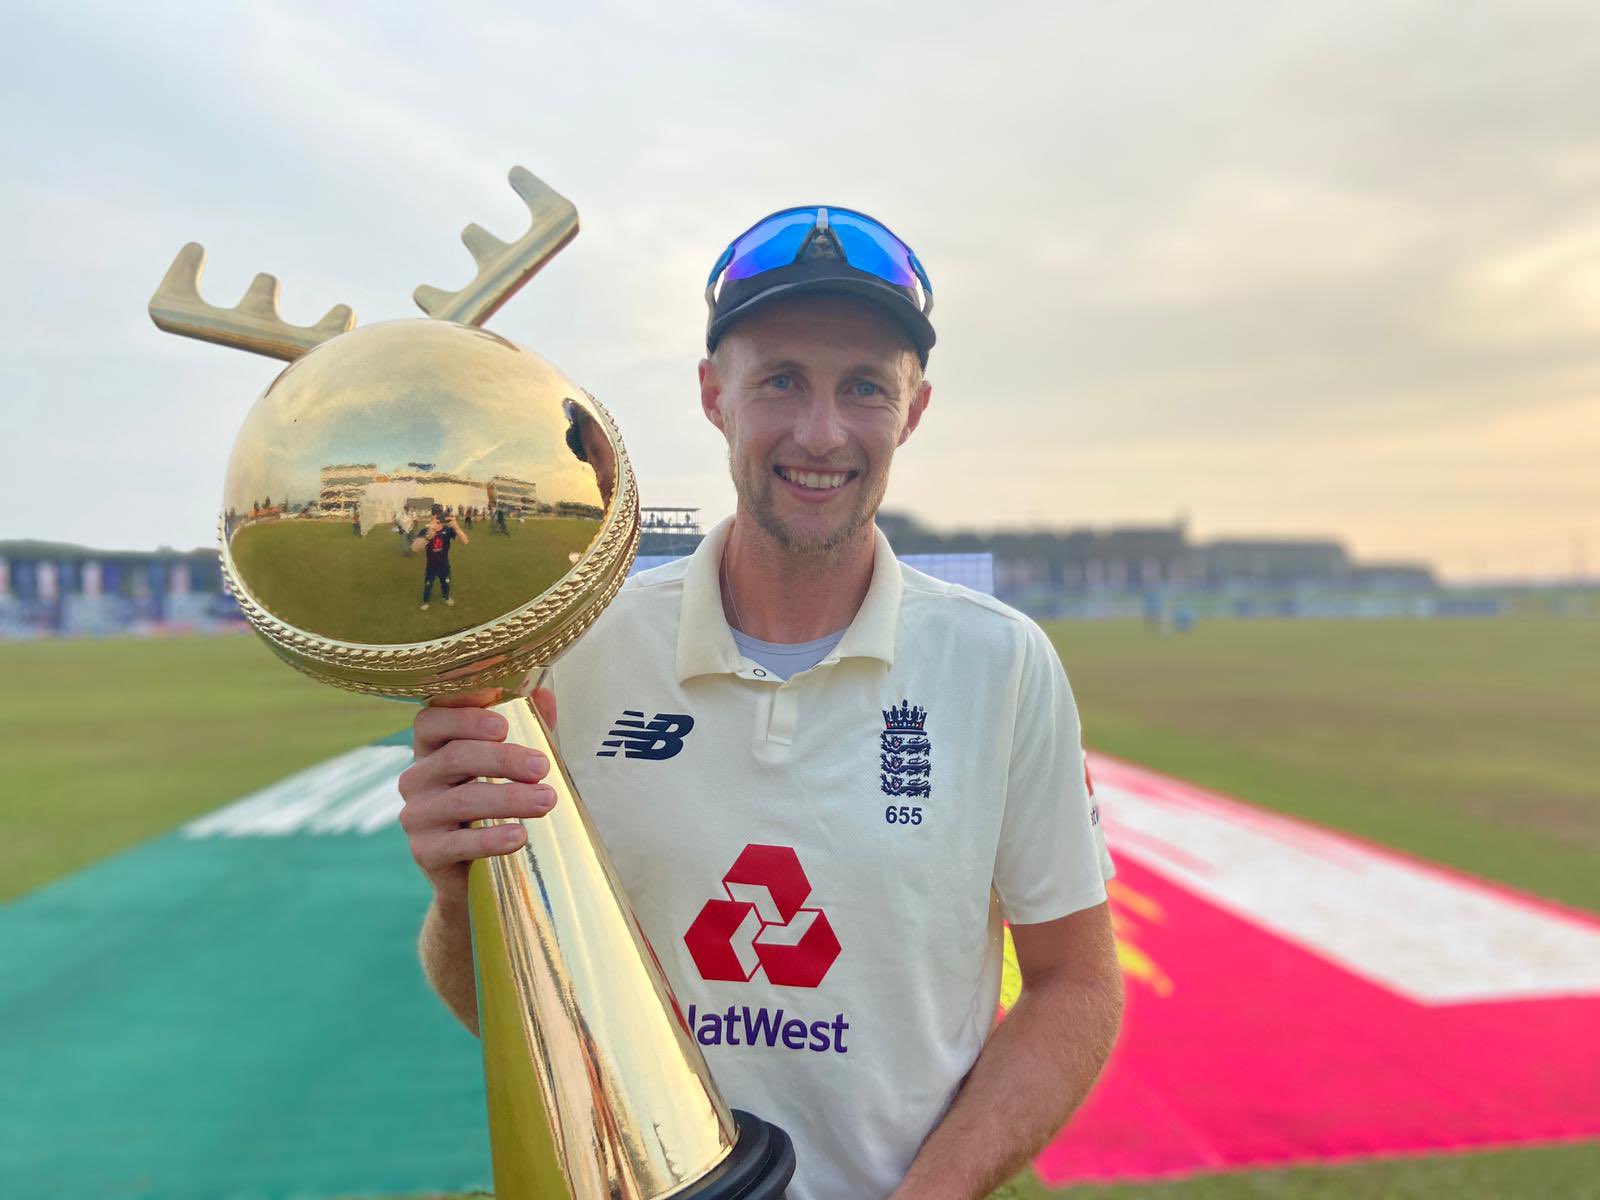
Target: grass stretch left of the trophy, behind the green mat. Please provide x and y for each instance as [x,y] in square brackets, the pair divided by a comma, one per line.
[108,743]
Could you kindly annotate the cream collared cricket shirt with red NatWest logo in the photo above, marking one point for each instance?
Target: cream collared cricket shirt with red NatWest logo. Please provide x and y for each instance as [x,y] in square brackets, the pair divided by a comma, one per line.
[823,865]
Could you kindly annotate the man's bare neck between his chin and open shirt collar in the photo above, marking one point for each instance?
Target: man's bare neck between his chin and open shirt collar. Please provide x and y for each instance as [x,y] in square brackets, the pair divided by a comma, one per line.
[777,596]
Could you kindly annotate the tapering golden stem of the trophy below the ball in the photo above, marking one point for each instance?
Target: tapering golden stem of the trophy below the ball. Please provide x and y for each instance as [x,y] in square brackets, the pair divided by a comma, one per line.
[594,1086]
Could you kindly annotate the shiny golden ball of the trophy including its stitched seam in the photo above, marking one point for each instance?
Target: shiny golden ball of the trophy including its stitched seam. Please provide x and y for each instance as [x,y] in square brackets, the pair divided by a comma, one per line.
[334,481]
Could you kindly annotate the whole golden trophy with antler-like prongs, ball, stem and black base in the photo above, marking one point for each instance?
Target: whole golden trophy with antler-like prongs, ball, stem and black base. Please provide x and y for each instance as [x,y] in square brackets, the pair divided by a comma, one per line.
[377,444]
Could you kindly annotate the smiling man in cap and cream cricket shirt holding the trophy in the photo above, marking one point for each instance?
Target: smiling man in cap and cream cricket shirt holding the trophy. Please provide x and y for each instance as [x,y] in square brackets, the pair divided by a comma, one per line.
[825,777]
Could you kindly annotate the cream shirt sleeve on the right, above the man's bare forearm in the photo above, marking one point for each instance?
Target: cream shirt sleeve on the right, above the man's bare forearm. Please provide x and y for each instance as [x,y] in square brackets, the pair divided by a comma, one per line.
[1052,860]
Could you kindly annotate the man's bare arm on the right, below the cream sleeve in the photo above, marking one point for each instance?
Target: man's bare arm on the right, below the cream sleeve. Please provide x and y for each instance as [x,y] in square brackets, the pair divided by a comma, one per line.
[1038,1066]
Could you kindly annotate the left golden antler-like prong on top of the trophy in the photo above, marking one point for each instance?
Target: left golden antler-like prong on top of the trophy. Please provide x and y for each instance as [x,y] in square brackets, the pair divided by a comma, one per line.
[252,326]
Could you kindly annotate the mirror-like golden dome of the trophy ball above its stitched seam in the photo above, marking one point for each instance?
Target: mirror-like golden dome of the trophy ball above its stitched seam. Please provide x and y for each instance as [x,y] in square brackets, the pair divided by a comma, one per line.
[332,546]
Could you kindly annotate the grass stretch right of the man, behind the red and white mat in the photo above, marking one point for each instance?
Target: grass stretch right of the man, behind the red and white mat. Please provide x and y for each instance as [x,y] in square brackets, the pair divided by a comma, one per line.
[1471,743]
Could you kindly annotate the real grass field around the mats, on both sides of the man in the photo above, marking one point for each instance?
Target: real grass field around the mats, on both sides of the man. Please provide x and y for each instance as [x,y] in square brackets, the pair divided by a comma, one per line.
[1466,743]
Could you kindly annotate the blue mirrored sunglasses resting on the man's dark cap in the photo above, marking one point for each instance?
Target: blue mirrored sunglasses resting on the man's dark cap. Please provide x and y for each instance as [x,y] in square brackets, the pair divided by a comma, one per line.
[866,244]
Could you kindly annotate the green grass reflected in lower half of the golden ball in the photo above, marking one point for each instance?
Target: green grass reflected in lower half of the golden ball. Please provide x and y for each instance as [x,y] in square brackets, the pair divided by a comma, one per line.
[321,577]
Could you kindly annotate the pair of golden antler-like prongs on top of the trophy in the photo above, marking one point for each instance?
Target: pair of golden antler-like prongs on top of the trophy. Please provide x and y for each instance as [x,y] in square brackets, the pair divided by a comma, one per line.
[257,326]
